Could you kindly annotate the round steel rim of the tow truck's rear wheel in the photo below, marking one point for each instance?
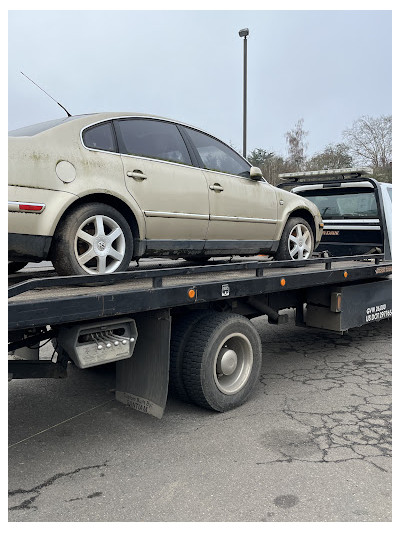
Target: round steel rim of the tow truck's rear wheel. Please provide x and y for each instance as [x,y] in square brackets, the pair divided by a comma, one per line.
[233,363]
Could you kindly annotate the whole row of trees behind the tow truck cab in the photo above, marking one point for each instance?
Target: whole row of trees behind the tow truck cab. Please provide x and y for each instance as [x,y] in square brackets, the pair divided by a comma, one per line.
[367,143]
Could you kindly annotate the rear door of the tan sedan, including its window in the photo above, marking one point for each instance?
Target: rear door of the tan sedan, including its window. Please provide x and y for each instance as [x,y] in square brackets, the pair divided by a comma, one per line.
[160,175]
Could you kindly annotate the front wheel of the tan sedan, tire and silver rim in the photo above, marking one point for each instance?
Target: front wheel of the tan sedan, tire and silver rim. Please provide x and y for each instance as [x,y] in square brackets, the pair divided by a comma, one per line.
[297,241]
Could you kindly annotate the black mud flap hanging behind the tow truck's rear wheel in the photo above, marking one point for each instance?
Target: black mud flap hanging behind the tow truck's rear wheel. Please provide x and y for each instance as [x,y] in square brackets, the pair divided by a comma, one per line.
[142,380]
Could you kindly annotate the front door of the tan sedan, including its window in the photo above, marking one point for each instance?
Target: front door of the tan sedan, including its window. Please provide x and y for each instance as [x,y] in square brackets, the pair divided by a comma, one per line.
[240,208]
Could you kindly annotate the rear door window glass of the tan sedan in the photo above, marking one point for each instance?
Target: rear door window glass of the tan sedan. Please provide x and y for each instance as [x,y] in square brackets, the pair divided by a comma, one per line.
[152,138]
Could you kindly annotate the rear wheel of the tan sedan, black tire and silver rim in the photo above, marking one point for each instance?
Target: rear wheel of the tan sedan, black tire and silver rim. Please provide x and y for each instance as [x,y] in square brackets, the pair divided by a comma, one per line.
[93,239]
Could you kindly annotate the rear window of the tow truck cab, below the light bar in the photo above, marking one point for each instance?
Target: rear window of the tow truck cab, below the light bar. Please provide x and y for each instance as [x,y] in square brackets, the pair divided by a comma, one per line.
[348,203]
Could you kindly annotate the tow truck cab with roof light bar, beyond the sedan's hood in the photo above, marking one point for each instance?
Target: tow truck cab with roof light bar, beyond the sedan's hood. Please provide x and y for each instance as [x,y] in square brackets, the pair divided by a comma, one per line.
[356,209]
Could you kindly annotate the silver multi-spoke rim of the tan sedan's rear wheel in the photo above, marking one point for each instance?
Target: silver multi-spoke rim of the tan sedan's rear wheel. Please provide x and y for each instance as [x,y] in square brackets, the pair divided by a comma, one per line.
[99,245]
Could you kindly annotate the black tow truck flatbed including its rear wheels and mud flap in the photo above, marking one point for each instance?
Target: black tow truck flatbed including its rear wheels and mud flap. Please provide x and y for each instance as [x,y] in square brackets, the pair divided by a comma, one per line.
[165,308]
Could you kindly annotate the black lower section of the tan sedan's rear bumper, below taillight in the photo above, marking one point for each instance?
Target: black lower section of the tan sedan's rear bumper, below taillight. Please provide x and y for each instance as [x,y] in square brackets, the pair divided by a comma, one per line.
[28,247]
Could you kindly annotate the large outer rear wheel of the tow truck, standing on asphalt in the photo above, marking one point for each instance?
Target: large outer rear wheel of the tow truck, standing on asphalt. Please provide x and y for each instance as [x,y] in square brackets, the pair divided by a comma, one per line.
[222,361]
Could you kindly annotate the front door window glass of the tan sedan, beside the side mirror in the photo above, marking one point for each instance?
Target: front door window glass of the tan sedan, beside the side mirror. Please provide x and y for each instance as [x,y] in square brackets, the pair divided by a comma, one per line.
[215,155]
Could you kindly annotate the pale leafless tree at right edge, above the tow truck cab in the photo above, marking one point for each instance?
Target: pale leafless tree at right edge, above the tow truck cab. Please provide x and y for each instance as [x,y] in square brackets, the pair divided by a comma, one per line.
[370,141]
